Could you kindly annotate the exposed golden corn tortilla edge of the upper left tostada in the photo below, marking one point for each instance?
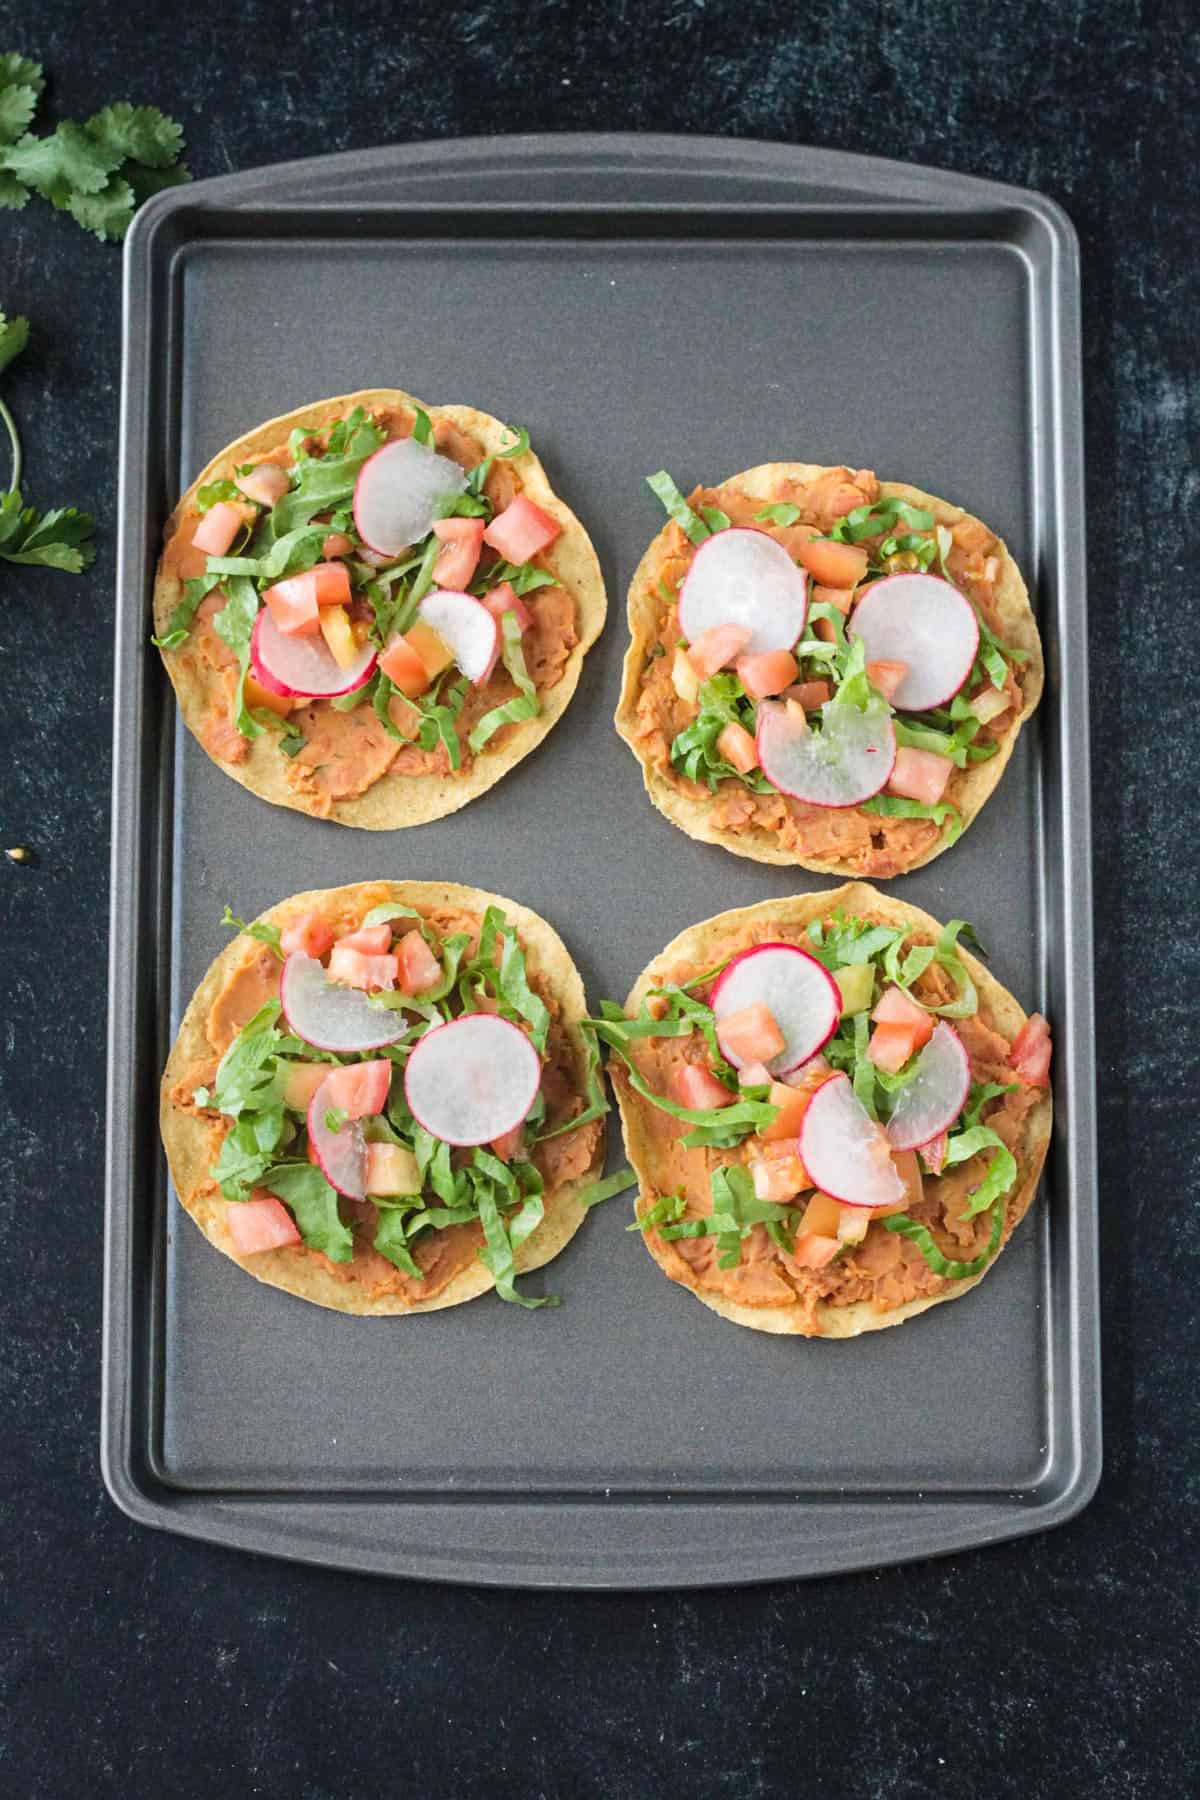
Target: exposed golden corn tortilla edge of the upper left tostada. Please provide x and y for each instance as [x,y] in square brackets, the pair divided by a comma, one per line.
[397,800]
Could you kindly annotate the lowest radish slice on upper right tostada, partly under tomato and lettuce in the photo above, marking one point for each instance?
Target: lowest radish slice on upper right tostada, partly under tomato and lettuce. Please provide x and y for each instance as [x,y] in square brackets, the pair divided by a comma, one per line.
[843,764]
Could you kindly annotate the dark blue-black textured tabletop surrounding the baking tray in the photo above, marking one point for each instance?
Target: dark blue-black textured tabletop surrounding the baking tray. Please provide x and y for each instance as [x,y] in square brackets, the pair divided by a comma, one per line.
[1062,1666]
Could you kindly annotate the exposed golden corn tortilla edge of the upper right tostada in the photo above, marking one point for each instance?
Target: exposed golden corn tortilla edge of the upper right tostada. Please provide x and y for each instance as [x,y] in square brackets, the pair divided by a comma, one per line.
[969,787]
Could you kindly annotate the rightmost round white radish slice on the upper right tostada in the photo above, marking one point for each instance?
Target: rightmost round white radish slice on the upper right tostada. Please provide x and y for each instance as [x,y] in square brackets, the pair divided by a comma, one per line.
[924,622]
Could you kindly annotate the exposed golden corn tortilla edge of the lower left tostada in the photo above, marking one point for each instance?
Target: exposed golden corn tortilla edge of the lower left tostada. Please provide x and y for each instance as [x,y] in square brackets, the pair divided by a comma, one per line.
[190,1140]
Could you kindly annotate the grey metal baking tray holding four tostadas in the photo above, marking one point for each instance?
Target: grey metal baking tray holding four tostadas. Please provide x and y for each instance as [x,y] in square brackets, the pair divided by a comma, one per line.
[638,303]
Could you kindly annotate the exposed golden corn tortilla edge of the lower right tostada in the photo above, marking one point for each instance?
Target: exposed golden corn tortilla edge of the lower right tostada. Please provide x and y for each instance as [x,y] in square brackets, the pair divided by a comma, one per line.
[701,946]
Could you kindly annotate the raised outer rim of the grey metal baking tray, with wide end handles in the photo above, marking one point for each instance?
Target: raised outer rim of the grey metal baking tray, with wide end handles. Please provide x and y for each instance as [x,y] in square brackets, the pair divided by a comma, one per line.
[917,1529]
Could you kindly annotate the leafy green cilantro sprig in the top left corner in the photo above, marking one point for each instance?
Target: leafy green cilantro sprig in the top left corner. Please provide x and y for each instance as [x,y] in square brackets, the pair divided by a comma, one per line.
[100,172]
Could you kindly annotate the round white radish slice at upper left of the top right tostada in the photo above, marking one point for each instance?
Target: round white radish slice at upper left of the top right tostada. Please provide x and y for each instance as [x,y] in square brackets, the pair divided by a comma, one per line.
[742,577]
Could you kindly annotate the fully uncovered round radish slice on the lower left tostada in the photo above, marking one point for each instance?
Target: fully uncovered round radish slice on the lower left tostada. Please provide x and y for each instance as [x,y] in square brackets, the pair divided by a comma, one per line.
[472,1081]
